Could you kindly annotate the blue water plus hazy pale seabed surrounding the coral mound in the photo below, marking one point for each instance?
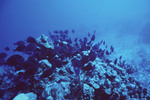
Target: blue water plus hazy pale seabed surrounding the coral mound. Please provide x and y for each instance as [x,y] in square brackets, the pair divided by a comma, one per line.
[123,24]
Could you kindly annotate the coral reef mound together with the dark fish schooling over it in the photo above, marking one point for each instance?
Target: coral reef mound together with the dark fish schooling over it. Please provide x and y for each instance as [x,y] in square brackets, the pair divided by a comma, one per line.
[67,69]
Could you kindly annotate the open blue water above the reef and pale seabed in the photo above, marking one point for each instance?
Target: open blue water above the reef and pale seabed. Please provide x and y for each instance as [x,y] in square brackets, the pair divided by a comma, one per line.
[111,19]
